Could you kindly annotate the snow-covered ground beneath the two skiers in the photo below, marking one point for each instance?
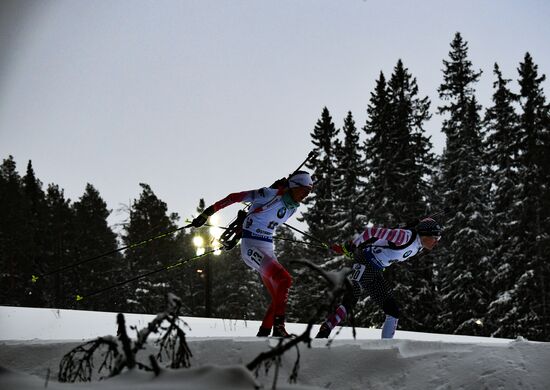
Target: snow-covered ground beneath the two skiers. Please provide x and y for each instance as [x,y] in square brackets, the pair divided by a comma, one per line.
[34,341]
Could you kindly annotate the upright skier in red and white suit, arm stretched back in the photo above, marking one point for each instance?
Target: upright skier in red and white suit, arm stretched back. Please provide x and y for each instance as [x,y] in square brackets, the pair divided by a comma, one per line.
[270,208]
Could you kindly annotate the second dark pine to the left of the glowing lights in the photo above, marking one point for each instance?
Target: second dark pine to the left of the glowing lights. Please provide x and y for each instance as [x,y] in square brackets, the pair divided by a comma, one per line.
[93,236]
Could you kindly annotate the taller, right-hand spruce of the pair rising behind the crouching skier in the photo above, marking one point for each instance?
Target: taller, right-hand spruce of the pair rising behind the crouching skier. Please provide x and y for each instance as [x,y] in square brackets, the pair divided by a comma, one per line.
[410,194]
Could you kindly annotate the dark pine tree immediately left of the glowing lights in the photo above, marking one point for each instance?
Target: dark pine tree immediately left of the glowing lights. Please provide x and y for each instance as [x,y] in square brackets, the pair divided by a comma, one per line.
[148,218]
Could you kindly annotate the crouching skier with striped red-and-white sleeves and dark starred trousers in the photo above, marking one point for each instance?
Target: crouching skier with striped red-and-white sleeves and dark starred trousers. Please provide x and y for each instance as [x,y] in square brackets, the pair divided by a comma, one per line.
[373,250]
